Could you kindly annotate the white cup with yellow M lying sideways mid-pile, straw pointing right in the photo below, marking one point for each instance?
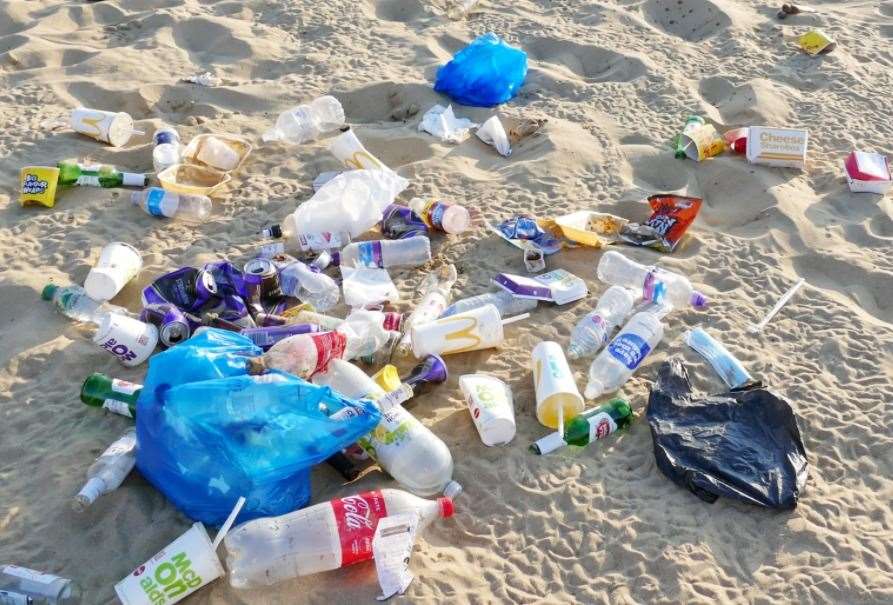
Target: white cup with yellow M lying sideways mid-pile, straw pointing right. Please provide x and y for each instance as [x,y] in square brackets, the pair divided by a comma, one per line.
[472,330]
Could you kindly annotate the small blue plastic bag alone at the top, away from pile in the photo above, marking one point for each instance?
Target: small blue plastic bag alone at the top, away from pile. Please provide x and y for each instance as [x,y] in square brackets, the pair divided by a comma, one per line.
[485,73]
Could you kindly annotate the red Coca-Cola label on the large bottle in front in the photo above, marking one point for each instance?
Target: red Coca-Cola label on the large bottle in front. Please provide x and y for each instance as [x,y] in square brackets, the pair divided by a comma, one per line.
[357,517]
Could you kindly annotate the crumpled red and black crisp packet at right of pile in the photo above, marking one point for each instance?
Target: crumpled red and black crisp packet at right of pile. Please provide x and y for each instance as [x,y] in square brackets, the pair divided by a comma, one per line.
[670,218]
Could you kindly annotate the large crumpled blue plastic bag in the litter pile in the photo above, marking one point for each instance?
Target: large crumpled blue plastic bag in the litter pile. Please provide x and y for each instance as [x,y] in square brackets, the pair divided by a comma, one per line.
[208,433]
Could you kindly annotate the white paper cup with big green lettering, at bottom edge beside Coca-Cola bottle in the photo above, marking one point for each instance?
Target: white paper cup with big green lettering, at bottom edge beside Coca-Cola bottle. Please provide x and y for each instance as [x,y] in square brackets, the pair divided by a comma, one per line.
[181,568]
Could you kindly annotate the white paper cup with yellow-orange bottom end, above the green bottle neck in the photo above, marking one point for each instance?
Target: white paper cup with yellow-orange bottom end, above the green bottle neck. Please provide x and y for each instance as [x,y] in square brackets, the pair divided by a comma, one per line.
[555,386]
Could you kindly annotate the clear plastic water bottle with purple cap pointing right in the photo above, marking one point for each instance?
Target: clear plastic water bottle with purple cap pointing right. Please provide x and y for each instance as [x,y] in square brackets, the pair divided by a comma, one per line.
[654,283]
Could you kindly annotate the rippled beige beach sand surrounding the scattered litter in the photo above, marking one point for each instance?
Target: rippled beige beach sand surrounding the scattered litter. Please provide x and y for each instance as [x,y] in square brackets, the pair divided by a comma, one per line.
[615,81]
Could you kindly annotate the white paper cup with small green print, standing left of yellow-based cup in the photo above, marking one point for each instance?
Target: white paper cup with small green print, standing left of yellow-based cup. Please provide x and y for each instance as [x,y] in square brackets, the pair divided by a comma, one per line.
[491,405]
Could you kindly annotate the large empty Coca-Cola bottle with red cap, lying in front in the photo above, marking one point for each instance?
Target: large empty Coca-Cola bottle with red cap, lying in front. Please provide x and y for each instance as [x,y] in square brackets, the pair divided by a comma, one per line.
[318,538]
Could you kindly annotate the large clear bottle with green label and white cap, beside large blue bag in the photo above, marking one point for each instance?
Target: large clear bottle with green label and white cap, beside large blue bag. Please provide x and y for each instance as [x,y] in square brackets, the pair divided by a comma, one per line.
[404,447]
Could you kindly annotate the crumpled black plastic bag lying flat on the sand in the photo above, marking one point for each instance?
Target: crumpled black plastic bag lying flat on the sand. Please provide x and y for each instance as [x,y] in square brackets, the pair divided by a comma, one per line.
[743,444]
